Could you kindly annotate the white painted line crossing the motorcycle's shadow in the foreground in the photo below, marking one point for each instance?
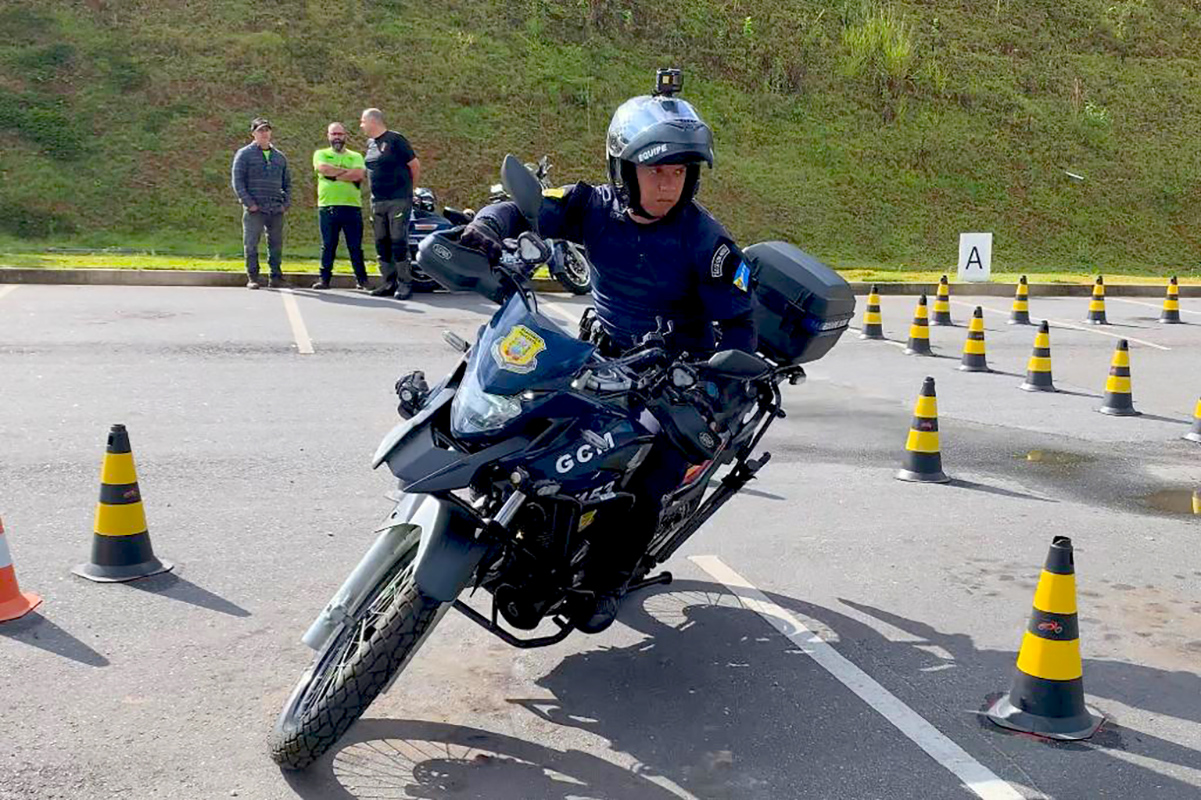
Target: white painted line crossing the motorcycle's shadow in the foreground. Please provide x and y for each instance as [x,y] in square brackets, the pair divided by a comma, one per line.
[976,777]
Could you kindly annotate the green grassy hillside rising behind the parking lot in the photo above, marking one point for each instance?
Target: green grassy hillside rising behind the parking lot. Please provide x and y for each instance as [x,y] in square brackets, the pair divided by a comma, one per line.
[867,133]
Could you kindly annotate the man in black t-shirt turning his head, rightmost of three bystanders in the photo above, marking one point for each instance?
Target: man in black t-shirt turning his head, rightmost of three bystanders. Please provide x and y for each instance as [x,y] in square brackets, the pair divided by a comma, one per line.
[395,171]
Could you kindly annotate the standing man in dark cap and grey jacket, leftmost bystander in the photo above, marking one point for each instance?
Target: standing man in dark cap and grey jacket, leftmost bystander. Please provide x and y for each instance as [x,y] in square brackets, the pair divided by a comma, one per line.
[264,186]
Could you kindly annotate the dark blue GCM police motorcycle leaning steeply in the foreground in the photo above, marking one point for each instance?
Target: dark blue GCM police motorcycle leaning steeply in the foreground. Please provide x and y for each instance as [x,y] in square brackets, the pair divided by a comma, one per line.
[505,464]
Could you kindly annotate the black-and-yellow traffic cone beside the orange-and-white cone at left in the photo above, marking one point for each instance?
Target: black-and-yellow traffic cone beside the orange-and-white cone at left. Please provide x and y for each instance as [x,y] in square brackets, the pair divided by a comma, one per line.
[121,547]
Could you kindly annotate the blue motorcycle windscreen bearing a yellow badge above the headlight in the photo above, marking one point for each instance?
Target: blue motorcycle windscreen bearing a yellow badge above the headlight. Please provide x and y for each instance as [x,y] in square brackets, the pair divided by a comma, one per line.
[521,351]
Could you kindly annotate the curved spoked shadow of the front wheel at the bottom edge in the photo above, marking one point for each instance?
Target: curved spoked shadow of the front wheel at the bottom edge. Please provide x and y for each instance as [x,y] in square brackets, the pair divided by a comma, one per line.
[390,760]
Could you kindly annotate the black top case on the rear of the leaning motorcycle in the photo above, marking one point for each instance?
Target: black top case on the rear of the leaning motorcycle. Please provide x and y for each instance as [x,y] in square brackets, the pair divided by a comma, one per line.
[804,307]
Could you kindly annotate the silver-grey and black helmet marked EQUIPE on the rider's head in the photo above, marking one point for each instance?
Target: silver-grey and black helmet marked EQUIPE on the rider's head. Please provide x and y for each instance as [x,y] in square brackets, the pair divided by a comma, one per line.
[656,130]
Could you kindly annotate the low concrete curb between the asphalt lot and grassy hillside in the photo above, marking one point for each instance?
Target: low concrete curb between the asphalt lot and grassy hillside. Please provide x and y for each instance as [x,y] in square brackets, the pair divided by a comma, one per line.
[204,278]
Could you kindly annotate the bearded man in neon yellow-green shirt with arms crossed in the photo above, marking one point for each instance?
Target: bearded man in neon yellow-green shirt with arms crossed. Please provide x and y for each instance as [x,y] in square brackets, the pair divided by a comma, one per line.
[340,174]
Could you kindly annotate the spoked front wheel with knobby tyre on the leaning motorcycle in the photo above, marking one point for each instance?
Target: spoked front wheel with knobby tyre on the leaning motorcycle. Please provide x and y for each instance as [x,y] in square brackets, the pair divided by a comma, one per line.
[356,666]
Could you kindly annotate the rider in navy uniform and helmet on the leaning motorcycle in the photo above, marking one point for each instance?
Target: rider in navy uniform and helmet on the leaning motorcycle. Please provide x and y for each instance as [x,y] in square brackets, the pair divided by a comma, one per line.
[658,255]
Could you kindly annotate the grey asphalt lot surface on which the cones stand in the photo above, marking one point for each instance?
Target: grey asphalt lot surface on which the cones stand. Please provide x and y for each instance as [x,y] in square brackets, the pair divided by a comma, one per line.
[254,461]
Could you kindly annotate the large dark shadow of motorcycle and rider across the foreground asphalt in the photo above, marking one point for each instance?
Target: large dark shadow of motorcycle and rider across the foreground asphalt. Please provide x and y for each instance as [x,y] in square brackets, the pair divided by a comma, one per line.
[722,706]
